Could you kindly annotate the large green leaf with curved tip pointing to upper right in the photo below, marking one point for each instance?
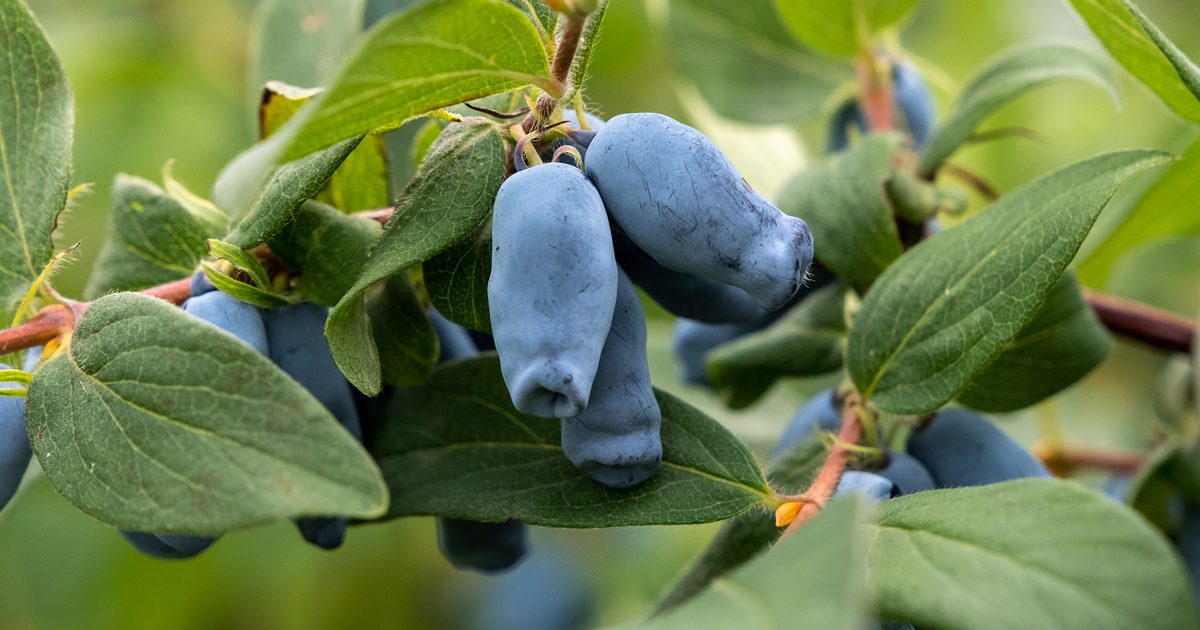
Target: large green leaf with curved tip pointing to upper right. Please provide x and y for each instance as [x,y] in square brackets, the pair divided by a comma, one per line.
[952,304]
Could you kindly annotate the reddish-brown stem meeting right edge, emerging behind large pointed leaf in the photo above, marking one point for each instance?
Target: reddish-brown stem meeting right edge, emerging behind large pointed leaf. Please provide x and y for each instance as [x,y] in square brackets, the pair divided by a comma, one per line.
[1144,323]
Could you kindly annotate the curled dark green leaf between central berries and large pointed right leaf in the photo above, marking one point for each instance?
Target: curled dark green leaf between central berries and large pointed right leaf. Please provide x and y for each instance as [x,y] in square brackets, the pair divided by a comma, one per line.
[807,341]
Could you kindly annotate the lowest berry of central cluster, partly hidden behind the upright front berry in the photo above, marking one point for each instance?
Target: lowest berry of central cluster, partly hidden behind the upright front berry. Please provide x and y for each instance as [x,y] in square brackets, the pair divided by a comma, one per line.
[616,440]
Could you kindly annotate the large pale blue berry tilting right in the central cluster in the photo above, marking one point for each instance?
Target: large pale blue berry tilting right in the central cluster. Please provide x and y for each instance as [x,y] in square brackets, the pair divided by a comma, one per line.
[683,203]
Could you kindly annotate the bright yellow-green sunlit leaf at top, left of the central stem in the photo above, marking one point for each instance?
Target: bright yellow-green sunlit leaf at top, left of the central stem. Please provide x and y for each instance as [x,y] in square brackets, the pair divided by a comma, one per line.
[433,56]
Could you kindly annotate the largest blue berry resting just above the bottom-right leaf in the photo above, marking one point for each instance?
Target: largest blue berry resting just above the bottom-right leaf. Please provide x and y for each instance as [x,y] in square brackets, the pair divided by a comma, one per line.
[961,448]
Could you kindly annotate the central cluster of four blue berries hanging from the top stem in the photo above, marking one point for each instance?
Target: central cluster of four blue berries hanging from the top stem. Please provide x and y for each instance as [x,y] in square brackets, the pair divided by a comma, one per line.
[659,206]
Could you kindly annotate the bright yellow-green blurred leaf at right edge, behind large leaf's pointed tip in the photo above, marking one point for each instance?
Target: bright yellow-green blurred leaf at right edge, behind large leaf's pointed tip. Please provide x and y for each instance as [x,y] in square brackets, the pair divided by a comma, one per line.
[1156,217]
